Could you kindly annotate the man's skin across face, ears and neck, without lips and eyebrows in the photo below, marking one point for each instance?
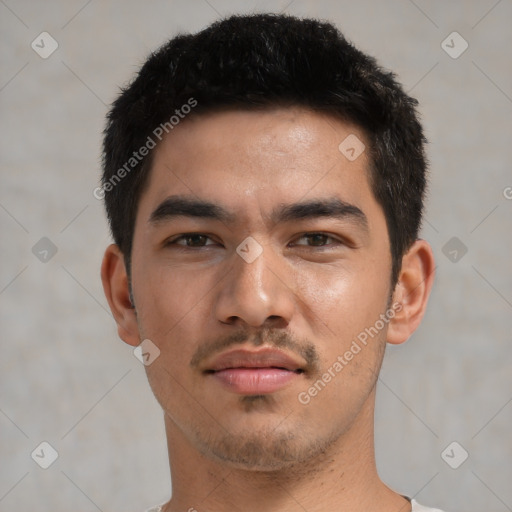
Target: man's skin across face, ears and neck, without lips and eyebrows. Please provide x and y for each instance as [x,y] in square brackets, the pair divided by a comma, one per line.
[311,295]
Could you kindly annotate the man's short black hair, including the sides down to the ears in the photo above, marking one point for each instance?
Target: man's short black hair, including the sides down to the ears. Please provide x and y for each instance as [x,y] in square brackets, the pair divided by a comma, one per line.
[265,61]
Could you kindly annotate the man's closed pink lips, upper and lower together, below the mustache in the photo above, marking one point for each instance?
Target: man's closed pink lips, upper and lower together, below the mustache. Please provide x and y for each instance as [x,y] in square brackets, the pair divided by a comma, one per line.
[253,372]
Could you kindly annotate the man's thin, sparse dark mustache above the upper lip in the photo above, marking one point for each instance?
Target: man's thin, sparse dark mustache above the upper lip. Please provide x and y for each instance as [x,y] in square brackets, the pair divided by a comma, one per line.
[275,338]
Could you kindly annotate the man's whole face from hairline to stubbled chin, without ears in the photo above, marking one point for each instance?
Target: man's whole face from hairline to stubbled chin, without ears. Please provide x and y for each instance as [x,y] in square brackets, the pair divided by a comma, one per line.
[260,261]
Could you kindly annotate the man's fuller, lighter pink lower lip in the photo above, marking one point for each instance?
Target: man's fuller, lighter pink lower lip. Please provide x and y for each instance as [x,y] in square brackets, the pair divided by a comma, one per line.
[254,381]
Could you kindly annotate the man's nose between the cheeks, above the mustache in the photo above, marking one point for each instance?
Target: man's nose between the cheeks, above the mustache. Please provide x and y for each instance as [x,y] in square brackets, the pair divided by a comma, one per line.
[256,293]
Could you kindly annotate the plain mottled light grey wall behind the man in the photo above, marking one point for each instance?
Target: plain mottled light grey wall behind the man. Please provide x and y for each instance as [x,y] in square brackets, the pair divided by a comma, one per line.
[65,378]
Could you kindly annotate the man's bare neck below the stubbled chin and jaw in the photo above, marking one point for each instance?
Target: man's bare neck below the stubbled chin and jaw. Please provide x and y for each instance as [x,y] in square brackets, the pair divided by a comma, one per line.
[344,478]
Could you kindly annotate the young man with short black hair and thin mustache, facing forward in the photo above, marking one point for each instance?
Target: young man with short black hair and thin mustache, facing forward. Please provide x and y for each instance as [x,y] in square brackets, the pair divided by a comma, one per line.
[264,183]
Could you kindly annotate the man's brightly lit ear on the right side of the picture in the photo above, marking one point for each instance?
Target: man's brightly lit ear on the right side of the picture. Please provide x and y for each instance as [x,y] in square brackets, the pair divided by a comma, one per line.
[412,291]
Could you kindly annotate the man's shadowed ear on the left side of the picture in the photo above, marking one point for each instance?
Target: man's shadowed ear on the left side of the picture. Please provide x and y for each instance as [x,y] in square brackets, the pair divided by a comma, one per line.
[115,285]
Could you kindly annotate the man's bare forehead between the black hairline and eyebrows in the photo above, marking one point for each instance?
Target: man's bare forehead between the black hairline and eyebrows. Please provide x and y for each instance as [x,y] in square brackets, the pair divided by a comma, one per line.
[240,158]
